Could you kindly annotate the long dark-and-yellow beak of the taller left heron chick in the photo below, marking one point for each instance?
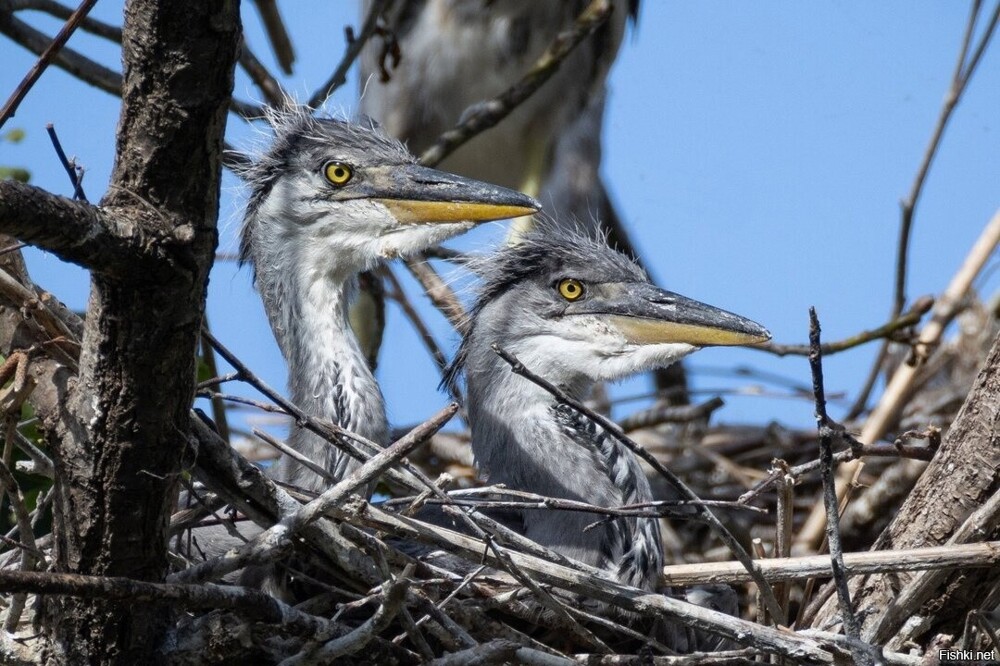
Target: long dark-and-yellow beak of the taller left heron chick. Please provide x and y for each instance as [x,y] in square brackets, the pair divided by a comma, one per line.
[416,194]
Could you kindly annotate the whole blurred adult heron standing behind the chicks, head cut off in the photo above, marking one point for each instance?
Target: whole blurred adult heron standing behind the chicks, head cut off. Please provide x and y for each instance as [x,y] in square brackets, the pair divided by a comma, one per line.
[457,53]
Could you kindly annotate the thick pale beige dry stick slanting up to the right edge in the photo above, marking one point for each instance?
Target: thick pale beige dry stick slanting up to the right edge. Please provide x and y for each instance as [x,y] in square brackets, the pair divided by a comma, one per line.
[945,309]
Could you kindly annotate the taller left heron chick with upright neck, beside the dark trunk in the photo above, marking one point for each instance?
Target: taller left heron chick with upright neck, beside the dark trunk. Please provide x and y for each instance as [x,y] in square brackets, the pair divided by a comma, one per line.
[329,199]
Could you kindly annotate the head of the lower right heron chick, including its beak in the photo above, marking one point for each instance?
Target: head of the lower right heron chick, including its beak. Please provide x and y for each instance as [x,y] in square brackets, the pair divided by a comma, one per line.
[574,310]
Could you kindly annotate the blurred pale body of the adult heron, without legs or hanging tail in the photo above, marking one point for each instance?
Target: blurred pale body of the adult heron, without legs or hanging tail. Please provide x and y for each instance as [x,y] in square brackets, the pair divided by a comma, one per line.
[455,53]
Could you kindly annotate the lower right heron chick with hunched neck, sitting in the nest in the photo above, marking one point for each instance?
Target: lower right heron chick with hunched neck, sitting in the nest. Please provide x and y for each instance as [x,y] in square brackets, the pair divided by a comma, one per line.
[575,312]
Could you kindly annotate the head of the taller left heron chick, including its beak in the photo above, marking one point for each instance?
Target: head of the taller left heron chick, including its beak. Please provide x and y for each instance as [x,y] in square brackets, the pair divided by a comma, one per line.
[349,195]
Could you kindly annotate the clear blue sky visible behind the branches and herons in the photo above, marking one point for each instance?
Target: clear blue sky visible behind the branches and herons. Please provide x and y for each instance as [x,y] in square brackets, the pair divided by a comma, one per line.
[759,152]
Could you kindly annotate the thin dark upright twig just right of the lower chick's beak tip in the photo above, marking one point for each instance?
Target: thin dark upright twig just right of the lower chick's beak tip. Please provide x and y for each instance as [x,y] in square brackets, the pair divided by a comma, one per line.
[851,625]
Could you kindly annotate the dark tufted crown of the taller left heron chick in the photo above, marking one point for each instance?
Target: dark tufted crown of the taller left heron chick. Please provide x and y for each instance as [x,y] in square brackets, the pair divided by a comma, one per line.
[303,140]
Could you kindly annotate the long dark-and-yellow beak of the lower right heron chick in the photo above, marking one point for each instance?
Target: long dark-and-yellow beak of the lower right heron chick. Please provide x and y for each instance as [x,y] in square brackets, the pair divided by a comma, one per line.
[646,314]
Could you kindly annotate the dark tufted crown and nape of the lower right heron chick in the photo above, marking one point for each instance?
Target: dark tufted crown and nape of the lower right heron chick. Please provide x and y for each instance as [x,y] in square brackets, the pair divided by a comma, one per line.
[547,254]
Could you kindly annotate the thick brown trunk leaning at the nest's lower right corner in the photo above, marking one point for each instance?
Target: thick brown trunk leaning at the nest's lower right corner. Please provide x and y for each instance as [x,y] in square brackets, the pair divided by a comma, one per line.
[952,502]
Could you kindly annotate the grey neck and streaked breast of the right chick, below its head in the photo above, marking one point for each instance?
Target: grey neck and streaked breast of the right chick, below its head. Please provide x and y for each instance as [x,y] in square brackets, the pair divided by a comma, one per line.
[523,438]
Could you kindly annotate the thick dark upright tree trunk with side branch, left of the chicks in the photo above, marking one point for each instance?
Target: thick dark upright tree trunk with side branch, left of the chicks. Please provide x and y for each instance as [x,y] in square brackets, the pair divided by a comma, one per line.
[118,450]
